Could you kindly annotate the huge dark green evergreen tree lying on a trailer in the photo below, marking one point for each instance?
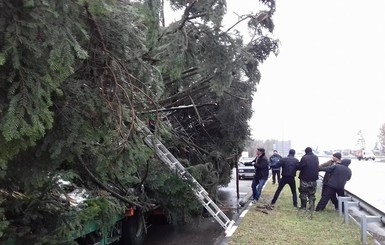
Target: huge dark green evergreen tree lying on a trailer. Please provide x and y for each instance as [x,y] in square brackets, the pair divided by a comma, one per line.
[75,76]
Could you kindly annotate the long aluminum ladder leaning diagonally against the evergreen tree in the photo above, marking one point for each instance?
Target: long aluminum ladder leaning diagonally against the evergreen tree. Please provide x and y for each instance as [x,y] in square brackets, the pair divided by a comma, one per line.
[173,164]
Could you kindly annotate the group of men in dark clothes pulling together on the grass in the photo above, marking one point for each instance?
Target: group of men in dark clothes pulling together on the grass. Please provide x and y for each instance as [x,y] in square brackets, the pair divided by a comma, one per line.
[337,173]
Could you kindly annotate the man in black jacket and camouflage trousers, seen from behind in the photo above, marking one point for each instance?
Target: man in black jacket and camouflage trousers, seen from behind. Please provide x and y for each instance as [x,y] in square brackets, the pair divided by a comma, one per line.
[308,166]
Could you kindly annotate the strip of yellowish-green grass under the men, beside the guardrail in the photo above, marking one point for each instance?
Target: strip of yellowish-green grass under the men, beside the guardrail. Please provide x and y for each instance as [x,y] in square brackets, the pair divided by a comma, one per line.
[284,224]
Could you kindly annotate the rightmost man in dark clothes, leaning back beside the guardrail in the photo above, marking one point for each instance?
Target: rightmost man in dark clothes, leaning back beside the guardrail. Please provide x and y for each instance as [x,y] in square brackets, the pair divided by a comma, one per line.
[340,174]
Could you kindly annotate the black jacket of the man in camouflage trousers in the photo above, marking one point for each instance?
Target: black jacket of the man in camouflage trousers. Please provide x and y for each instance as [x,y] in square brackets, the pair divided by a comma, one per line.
[308,167]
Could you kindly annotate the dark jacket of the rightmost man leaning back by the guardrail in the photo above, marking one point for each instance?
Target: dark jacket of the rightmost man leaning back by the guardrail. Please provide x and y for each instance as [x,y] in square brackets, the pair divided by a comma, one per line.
[339,174]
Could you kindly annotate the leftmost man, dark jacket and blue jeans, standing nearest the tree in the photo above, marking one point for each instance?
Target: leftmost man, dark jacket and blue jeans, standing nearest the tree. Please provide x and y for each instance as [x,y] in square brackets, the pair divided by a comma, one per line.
[261,165]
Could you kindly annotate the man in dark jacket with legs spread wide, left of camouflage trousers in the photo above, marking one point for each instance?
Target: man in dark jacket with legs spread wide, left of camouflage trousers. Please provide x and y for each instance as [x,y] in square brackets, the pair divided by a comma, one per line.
[289,169]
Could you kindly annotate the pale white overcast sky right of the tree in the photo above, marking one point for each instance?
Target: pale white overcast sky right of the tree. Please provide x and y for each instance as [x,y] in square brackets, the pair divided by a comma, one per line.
[327,83]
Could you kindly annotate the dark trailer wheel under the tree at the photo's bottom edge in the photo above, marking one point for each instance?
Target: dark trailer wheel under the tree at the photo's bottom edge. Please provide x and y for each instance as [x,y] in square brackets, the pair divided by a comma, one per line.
[133,230]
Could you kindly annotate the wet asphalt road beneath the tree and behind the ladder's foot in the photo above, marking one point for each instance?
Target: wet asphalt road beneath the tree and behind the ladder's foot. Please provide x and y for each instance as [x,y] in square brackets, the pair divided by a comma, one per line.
[203,231]
